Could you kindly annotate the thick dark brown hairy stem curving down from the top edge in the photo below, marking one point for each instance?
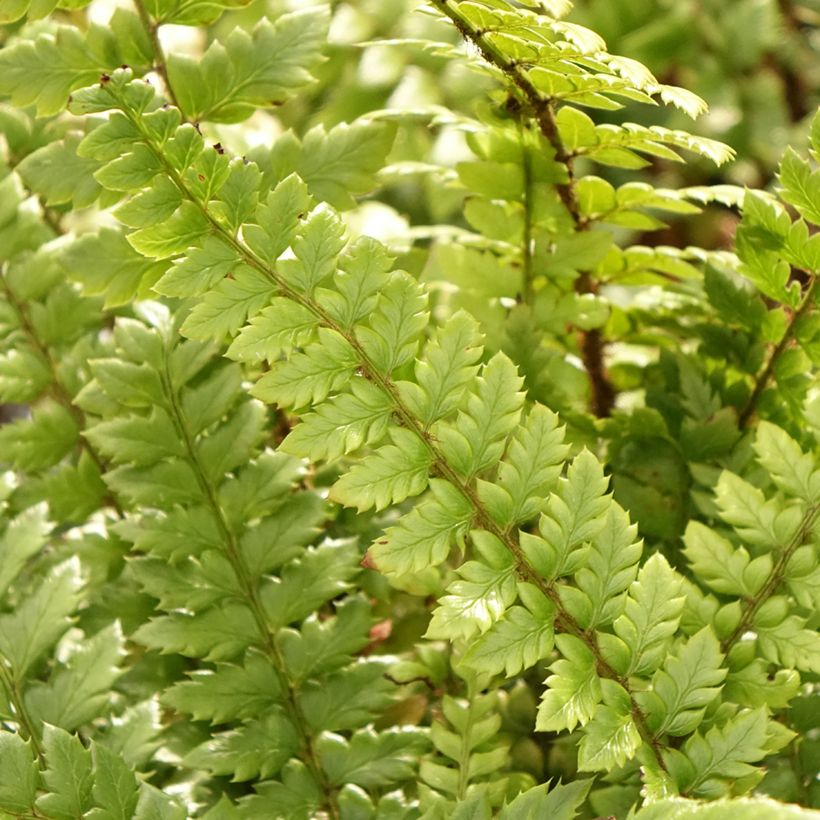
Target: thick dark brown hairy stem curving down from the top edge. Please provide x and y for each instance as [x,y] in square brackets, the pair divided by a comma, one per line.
[602,392]
